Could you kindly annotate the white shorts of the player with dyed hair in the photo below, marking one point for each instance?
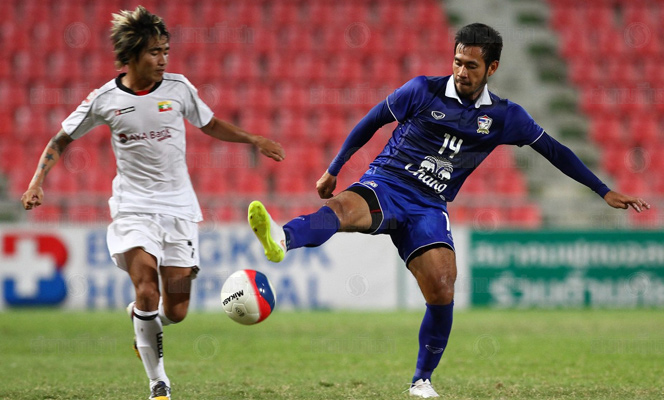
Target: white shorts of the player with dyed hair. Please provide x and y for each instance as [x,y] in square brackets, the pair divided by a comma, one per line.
[172,241]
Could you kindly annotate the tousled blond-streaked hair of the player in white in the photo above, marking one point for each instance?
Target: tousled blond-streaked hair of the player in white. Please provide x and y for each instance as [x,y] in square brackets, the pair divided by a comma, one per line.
[132,31]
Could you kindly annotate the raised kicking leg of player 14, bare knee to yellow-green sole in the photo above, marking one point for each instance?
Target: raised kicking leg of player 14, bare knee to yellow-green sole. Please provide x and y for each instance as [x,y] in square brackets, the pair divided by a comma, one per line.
[347,212]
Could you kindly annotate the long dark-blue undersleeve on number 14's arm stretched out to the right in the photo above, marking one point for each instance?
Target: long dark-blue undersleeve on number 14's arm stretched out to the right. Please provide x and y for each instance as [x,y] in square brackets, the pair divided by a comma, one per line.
[565,160]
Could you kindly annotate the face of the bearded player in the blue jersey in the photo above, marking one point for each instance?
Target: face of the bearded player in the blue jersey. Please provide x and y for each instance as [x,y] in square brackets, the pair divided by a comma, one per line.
[470,71]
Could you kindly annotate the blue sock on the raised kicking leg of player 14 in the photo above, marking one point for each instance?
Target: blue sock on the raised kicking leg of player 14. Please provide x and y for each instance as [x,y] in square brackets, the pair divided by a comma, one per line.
[311,230]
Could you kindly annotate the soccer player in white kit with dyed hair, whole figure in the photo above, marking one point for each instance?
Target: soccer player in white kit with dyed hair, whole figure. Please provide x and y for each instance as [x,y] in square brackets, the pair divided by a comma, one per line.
[154,208]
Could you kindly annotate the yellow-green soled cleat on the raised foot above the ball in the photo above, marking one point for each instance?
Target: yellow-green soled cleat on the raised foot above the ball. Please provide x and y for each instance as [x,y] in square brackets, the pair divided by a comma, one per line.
[268,232]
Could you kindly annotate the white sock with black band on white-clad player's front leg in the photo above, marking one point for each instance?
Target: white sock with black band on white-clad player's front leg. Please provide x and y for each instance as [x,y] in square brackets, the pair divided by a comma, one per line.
[149,343]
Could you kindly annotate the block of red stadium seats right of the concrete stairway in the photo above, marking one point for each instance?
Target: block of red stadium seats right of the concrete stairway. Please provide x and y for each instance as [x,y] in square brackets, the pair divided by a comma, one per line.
[614,51]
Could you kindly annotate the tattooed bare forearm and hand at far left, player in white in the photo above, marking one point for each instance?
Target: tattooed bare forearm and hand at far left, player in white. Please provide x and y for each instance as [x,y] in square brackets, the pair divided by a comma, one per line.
[34,196]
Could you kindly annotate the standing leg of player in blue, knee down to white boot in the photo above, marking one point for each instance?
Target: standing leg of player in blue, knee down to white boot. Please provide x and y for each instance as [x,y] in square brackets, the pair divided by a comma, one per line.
[435,271]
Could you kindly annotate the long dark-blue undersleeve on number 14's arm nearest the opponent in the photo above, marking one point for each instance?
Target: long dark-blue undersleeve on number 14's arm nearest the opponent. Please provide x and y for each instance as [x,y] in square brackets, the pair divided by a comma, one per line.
[378,116]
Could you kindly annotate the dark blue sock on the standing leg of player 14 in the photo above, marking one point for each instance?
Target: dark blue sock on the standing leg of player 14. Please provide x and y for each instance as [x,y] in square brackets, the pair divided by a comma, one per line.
[434,332]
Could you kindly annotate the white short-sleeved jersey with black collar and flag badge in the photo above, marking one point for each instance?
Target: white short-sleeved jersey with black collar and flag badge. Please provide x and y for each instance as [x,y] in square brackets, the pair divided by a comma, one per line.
[148,138]
